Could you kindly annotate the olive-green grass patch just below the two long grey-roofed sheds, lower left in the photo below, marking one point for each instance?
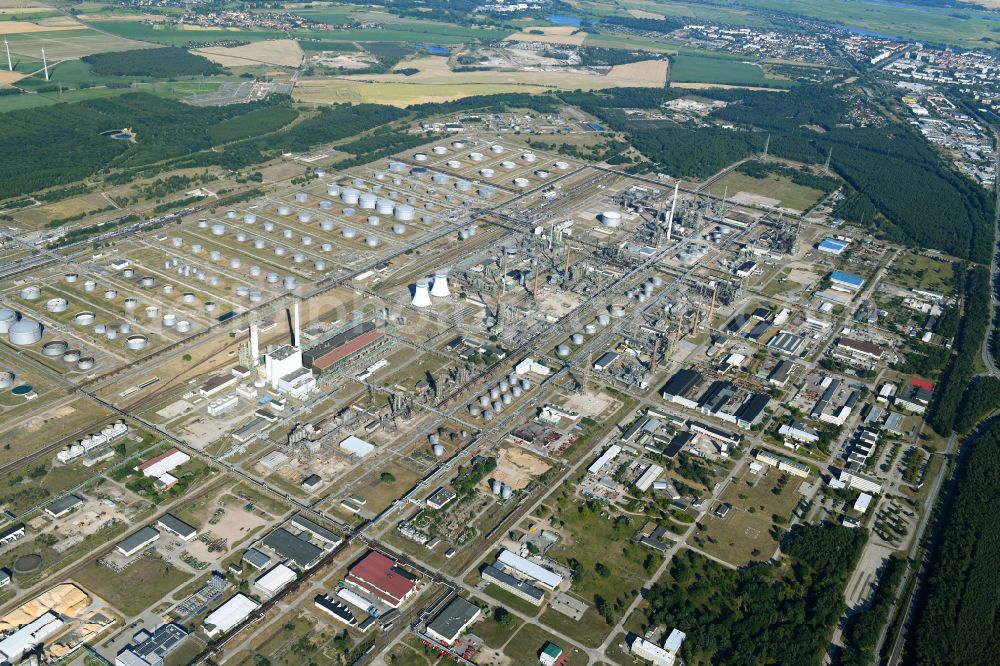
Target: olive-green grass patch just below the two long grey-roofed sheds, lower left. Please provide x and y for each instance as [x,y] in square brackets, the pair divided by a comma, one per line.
[140,586]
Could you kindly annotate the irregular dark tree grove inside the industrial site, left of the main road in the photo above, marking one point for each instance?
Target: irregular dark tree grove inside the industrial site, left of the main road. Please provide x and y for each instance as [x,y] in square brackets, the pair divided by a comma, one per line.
[766,612]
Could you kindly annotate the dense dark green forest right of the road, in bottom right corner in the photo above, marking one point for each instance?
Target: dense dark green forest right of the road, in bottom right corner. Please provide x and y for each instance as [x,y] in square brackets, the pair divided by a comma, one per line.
[956,618]
